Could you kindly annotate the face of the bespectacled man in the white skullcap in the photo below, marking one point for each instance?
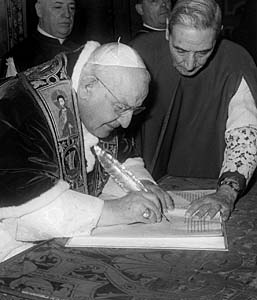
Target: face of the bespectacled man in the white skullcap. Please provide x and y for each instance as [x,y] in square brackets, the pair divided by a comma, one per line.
[102,109]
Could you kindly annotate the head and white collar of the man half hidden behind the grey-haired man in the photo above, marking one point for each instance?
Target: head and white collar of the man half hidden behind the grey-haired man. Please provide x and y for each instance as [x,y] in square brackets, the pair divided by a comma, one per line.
[154,14]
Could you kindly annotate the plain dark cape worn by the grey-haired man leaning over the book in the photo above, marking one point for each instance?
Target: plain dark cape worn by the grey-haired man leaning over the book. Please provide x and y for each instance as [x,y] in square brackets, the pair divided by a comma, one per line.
[184,127]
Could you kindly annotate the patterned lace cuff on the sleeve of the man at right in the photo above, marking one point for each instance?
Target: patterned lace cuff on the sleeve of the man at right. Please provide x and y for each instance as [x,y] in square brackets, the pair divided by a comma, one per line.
[241,151]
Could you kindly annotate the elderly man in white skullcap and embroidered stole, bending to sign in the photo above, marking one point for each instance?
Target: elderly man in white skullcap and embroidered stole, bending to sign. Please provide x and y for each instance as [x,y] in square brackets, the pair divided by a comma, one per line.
[51,181]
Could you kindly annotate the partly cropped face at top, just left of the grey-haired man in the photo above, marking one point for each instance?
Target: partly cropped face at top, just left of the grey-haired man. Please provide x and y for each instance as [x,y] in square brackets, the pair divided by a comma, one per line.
[155,12]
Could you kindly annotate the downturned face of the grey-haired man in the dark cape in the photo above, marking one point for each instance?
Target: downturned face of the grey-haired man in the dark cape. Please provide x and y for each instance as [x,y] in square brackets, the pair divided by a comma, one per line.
[190,48]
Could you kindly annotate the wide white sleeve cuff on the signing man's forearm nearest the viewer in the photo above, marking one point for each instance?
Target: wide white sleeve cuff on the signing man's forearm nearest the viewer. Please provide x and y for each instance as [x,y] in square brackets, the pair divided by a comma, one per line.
[70,214]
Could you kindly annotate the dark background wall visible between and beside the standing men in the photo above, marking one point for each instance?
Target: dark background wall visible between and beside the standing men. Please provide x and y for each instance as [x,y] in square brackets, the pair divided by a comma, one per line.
[101,20]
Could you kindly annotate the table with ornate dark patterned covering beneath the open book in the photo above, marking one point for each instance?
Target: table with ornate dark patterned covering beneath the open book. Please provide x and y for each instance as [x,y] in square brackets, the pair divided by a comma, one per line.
[56,272]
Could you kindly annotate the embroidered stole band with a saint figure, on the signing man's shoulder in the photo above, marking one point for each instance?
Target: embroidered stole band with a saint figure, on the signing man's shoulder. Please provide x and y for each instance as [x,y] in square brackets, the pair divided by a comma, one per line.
[51,87]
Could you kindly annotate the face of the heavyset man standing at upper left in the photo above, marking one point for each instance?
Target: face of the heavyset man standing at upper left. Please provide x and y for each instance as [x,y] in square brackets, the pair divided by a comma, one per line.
[56,17]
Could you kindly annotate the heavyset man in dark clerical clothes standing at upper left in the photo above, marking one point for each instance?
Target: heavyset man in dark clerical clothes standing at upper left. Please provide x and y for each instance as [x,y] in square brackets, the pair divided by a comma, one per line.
[56,18]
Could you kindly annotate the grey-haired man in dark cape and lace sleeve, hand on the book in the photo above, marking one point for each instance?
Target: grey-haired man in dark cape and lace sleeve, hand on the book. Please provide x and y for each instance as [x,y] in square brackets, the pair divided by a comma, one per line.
[202,116]
